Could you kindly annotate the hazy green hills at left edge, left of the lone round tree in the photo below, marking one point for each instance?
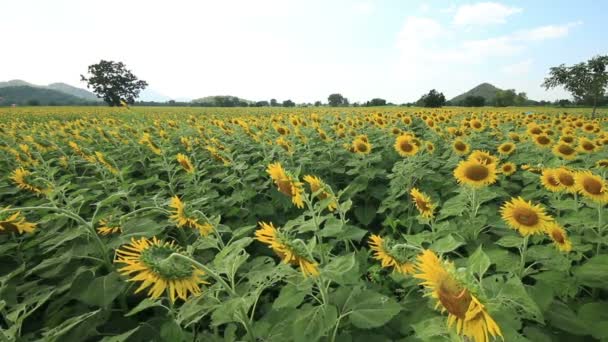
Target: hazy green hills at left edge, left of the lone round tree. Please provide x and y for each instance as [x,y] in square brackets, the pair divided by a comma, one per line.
[27,95]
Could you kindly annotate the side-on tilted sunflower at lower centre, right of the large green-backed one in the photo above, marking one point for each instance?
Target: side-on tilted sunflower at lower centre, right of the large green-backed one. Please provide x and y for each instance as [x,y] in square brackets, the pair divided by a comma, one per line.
[290,251]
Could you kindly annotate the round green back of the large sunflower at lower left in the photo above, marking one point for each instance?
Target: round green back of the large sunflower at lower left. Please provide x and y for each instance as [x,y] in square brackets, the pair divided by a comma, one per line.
[156,258]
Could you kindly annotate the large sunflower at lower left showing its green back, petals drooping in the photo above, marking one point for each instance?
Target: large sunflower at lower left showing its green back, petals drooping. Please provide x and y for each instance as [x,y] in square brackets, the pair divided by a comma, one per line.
[147,262]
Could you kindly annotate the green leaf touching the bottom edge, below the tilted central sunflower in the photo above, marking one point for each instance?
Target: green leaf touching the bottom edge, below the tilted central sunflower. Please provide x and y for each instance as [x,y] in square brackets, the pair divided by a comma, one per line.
[311,323]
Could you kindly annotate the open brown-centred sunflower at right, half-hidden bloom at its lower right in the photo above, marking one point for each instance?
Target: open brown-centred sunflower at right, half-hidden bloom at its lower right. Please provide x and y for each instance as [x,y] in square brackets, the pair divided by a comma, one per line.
[526,218]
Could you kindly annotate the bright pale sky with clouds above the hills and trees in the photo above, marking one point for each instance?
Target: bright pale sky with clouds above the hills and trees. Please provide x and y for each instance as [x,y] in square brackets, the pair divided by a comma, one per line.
[303,50]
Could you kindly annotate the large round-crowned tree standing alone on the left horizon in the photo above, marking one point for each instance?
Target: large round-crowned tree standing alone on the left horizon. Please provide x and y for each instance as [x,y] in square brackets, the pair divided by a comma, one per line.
[113,82]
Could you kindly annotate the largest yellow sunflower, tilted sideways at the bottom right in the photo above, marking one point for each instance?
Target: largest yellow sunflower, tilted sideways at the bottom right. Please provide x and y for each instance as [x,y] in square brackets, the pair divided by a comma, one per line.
[465,311]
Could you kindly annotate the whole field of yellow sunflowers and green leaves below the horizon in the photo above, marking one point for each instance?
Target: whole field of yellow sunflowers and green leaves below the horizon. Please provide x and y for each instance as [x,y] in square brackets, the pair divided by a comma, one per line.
[303,224]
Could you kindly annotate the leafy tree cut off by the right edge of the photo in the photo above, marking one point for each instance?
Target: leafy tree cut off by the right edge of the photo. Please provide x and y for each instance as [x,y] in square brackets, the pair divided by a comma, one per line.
[586,81]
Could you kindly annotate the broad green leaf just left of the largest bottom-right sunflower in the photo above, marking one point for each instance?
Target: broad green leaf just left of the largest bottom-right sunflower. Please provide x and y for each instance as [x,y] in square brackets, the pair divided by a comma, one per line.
[371,309]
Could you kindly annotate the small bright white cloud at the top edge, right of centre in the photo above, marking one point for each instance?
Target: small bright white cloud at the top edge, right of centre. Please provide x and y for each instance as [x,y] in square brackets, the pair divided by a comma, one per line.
[483,13]
